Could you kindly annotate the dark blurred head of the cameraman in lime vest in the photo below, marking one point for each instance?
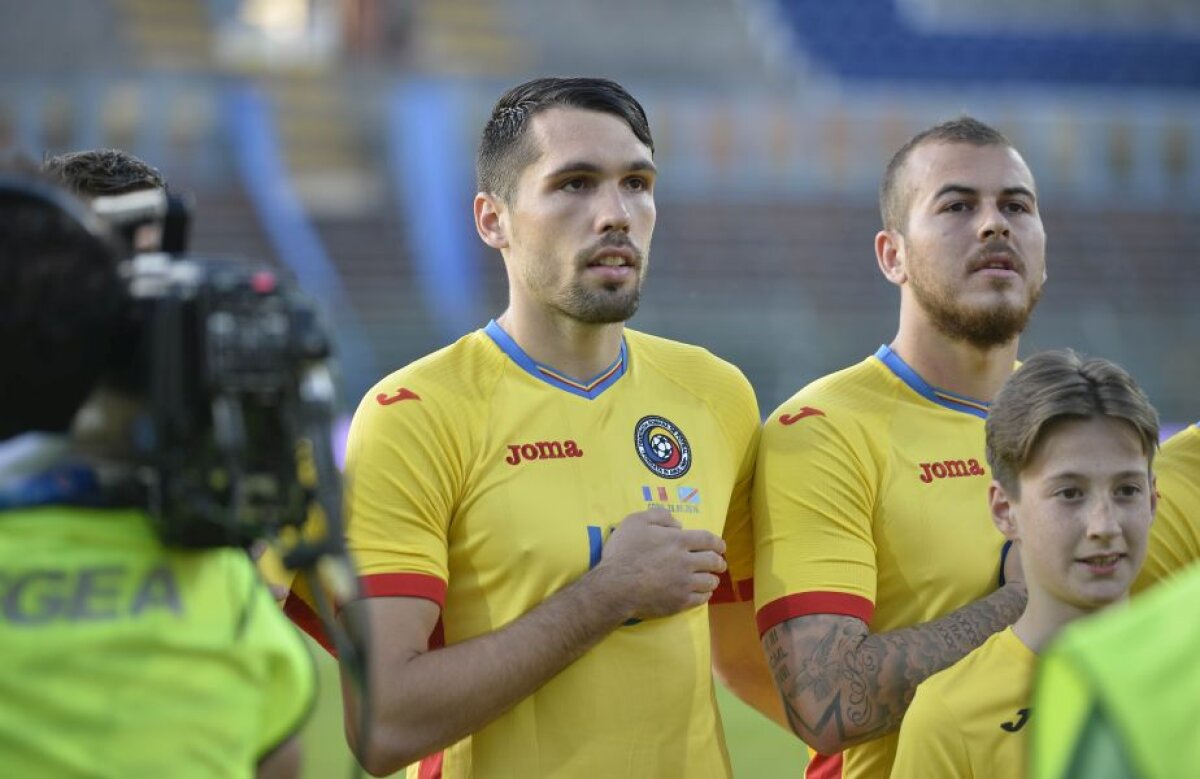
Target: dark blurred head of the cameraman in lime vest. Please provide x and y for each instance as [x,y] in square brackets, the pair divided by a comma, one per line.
[62,304]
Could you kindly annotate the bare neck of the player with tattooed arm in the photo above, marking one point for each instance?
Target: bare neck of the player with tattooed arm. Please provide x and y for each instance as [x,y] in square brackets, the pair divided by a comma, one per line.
[956,365]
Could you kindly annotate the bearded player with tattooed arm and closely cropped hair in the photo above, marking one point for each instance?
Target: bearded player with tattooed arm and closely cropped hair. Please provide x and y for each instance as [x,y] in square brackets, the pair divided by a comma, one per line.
[878,564]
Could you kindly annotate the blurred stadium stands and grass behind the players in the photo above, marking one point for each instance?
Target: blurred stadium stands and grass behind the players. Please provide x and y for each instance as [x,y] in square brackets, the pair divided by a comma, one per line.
[335,140]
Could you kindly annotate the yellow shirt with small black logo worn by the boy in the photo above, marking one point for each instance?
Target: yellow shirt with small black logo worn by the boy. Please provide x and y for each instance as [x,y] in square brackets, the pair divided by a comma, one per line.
[969,722]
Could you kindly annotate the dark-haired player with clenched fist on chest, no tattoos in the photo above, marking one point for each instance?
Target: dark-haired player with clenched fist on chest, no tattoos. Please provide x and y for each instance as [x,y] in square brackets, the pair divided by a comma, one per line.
[537,511]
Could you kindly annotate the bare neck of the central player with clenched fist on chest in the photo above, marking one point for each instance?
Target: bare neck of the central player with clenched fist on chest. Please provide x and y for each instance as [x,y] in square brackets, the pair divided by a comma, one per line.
[574,349]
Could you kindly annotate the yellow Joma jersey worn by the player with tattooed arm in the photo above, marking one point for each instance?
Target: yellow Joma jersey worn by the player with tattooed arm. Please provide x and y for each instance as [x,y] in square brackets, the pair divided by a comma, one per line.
[872,501]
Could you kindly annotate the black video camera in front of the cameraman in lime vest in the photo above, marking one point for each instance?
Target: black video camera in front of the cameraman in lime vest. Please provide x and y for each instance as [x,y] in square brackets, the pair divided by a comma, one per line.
[227,369]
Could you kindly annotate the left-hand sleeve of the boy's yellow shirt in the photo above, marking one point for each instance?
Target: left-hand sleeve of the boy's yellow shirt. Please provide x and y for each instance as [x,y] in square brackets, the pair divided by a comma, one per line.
[932,745]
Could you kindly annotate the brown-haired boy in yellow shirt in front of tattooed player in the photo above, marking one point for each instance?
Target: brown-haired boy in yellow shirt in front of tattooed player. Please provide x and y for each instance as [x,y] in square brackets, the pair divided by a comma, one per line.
[1071,444]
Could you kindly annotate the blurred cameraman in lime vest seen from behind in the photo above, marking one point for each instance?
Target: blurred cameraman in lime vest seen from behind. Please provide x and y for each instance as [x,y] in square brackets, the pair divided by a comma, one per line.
[122,657]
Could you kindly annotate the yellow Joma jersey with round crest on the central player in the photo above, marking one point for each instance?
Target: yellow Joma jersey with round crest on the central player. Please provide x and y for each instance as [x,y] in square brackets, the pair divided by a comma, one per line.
[485,482]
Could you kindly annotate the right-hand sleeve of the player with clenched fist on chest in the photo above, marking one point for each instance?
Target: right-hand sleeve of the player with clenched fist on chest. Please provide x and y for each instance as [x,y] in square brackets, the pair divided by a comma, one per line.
[739,522]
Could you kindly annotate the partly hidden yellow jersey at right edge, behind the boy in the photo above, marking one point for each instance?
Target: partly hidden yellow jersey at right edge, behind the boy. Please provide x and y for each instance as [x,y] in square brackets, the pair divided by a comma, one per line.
[1175,535]
